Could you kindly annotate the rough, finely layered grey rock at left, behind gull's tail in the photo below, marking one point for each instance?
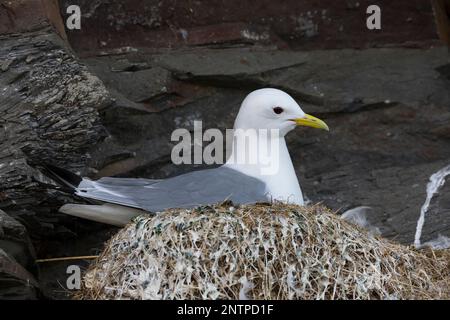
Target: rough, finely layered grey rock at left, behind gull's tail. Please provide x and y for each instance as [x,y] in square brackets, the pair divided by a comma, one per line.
[49,115]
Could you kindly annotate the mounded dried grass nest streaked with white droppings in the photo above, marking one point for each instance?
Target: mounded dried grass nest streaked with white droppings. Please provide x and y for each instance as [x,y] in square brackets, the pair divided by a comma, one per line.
[260,251]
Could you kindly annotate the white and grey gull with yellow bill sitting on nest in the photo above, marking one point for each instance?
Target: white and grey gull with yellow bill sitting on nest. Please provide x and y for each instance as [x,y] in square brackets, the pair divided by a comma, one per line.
[242,182]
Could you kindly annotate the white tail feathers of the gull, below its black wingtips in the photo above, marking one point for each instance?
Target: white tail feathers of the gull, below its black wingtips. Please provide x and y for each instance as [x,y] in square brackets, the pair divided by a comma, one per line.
[107,213]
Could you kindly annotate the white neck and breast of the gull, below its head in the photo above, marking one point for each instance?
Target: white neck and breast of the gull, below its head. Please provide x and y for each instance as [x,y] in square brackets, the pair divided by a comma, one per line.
[266,158]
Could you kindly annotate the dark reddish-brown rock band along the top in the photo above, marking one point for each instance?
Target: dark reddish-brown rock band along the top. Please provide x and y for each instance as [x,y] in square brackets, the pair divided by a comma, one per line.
[125,25]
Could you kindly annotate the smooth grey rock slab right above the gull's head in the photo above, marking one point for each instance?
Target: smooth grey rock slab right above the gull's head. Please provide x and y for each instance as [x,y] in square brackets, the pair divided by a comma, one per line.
[326,81]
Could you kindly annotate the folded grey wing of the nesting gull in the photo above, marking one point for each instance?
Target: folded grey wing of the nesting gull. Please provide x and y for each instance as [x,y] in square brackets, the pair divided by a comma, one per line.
[184,191]
